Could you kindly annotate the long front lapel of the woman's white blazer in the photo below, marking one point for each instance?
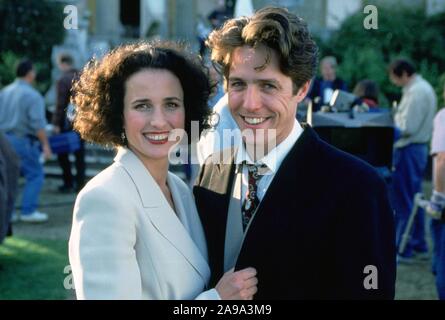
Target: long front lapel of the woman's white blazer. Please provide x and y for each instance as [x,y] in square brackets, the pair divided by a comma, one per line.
[160,213]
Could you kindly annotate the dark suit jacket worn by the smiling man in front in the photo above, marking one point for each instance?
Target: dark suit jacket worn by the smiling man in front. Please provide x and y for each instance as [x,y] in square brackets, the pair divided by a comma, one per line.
[324,218]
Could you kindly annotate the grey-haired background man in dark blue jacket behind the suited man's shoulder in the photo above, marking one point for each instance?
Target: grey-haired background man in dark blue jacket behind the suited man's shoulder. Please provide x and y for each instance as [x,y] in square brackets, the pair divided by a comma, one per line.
[323,87]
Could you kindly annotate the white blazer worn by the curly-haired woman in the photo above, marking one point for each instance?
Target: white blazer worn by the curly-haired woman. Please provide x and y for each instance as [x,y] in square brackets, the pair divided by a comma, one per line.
[127,243]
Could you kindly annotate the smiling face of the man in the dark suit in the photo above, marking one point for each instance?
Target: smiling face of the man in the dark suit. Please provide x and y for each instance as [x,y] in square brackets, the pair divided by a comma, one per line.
[261,98]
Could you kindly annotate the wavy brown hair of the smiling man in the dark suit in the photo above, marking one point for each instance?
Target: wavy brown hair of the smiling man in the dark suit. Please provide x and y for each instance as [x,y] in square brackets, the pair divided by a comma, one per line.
[277,29]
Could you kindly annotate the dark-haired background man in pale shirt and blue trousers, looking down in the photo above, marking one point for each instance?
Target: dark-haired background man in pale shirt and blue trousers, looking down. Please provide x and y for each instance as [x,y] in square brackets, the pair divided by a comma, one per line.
[413,119]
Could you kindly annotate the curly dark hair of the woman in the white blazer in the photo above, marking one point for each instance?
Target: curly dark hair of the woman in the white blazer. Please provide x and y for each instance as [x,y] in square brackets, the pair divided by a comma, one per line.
[99,92]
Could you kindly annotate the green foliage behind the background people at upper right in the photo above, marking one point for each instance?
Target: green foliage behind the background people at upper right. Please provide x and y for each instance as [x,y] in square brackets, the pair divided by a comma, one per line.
[403,32]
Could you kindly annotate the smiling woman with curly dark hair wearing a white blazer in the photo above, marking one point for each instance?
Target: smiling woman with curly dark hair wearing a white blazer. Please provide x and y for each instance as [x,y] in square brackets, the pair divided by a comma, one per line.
[136,233]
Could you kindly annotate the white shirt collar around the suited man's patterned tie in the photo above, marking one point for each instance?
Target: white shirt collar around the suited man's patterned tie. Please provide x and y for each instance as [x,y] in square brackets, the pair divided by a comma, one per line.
[276,156]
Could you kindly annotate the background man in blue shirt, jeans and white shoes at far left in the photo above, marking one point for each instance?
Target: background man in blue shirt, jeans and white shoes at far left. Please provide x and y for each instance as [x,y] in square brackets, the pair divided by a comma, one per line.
[22,118]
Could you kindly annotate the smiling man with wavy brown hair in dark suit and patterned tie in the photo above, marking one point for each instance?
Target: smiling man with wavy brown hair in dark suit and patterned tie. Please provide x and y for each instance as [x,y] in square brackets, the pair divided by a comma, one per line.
[318,220]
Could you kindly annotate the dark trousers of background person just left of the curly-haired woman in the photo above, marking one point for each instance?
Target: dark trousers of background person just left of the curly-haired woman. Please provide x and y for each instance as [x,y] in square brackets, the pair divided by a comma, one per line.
[65,165]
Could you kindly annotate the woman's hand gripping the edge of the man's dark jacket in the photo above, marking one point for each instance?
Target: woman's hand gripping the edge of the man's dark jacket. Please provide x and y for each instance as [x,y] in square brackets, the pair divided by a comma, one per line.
[240,285]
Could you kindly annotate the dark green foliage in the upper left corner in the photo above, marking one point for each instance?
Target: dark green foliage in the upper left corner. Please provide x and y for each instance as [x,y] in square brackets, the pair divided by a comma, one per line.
[30,29]
